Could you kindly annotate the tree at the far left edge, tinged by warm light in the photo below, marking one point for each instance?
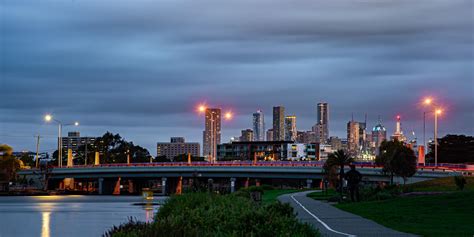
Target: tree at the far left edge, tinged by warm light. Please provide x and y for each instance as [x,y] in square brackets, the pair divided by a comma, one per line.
[9,165]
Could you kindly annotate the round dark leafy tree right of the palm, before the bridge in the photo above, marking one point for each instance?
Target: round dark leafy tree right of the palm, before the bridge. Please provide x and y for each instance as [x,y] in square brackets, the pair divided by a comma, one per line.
[397,159]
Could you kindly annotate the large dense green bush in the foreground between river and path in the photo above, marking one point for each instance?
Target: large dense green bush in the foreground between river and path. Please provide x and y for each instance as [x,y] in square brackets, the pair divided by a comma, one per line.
[204,214]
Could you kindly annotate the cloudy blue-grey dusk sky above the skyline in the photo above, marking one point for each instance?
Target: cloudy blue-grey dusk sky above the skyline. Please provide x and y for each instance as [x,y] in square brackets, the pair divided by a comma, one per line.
[140,67]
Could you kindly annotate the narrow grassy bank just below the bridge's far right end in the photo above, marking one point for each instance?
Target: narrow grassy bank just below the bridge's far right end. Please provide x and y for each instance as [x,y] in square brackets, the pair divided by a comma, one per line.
[440,184]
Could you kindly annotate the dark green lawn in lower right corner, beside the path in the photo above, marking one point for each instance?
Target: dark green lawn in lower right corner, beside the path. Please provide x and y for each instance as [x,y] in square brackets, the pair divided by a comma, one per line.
[437,215]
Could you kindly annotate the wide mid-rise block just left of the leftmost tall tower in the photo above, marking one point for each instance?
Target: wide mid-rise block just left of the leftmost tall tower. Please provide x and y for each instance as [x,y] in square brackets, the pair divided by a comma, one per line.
[177,146]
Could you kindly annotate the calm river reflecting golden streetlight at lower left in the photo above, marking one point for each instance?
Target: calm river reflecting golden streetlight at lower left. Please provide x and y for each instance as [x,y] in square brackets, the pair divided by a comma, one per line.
[71,216]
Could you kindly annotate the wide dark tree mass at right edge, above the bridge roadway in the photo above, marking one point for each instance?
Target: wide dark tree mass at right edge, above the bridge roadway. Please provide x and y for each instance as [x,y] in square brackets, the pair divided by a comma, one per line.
[453,149]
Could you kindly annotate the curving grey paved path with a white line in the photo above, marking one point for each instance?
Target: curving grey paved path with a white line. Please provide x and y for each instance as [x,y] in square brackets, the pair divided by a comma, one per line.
[332,221]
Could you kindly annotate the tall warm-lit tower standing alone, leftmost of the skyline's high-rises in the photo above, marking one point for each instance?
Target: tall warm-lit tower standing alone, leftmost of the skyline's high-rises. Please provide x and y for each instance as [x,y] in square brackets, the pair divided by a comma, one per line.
[212,133]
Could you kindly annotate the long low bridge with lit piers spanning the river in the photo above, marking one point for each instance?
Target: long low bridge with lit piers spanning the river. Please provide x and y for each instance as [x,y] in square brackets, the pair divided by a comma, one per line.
[172,176]
